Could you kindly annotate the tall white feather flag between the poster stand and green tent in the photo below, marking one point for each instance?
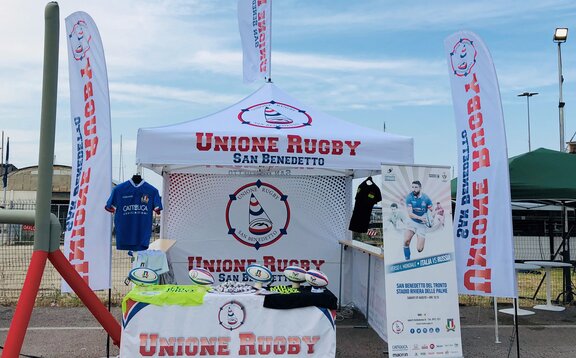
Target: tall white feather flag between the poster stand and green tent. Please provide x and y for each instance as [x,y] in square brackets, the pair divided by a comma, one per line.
[483,217]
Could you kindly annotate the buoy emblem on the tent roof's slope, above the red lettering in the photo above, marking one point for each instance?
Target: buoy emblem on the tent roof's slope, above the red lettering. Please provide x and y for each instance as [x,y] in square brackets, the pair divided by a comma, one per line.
[274,115]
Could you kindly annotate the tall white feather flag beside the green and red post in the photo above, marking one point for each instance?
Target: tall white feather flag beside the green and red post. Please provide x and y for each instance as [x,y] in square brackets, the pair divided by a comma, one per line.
[87,242]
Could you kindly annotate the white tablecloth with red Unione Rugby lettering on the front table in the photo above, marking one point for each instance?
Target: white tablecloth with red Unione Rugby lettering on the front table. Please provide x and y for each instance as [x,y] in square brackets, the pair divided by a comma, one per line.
[227,326]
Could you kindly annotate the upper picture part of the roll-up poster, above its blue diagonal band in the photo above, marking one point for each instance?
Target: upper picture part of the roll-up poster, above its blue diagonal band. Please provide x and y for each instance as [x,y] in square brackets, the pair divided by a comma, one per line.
[415,204]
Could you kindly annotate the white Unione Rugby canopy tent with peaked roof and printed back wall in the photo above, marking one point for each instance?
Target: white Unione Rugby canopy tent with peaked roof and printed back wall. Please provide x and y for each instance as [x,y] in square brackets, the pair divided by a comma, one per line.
[272,154]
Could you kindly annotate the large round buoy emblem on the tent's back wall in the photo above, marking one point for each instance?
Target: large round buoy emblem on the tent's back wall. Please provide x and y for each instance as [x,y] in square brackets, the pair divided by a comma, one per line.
[257,214]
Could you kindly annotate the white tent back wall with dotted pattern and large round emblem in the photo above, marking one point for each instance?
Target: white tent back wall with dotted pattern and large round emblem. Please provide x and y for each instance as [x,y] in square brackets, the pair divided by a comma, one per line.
[224,223]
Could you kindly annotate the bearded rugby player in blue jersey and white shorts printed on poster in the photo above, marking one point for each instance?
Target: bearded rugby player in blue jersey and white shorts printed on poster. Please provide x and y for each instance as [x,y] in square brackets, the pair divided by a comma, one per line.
[418,206]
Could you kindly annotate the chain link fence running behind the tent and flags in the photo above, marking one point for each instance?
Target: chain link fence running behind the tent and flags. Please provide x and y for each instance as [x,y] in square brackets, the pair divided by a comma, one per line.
[16,247]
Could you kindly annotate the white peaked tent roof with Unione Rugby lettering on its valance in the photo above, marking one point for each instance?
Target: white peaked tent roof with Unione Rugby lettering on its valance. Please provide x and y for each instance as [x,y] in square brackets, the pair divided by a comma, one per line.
[269,128]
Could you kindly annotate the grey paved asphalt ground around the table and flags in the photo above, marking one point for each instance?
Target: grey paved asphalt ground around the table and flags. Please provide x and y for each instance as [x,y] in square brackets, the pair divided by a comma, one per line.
[73,332]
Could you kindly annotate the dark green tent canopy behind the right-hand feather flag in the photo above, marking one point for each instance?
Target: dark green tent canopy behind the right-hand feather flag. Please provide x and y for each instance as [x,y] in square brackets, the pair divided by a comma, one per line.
[542,175]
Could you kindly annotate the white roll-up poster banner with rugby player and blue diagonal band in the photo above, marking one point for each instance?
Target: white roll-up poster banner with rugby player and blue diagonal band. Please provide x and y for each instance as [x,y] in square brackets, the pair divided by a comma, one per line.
[421,288]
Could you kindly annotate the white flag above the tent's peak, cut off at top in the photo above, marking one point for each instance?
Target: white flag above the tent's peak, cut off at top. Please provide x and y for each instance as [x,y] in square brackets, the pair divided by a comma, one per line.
[254,22]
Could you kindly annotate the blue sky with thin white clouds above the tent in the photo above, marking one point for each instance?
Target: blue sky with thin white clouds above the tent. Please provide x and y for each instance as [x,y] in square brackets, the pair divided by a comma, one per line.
[367,62]
